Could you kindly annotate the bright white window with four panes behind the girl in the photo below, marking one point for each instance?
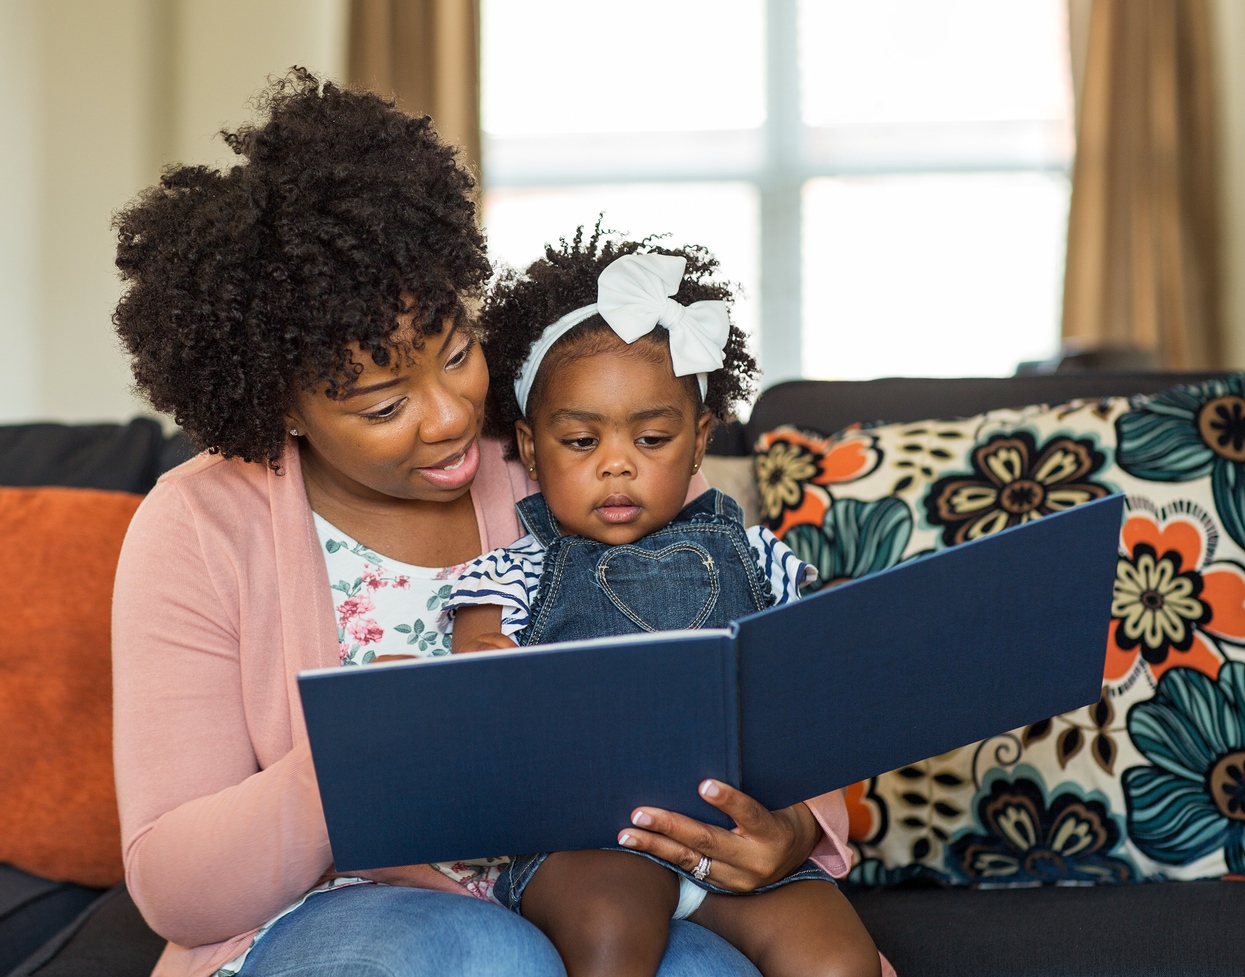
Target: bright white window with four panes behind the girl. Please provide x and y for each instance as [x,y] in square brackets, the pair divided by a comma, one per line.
[887,181]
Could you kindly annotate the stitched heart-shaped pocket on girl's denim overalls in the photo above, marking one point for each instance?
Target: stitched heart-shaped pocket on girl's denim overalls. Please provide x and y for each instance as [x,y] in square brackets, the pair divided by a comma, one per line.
[672,589]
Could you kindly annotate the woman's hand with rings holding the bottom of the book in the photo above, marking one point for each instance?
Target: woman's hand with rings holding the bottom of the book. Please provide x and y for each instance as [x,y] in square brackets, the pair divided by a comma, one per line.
[765,846]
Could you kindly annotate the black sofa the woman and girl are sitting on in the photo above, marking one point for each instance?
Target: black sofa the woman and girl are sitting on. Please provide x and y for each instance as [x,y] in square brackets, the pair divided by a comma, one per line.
[63,929]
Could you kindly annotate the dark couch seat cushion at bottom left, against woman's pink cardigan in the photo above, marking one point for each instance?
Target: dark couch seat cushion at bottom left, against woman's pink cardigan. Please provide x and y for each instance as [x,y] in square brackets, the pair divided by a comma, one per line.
[108,940]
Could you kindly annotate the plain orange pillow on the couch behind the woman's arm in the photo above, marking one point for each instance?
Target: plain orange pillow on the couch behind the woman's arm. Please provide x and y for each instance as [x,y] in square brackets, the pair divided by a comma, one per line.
[59,551]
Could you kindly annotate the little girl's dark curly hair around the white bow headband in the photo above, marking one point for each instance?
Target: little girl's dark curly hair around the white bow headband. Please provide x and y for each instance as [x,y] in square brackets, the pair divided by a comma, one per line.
[521,306]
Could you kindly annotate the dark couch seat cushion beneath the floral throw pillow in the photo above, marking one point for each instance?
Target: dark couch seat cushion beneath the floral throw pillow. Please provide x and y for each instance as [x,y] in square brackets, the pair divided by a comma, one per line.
[1156,930]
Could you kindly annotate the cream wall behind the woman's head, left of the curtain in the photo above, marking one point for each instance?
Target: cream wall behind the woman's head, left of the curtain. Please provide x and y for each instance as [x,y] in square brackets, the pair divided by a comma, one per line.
[95,98]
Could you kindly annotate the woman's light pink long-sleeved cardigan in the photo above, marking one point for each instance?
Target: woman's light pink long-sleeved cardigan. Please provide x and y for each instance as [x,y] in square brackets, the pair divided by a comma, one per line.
[222,599]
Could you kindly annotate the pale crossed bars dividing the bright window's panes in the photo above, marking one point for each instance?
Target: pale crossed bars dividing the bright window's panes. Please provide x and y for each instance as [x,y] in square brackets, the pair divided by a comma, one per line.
[779,159]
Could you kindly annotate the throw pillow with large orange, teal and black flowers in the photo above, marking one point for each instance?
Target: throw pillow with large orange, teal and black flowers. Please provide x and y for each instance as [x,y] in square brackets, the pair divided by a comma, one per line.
[1150,782]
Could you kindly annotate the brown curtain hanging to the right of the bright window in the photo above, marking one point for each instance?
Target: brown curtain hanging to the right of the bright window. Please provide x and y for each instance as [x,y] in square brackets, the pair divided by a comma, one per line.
[1144,237]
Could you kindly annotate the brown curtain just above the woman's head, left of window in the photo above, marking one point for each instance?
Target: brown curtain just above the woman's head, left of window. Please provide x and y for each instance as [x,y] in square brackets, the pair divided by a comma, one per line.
[426,54]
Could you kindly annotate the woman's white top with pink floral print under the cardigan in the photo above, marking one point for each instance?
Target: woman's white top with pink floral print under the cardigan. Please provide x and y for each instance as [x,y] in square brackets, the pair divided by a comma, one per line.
[385,608]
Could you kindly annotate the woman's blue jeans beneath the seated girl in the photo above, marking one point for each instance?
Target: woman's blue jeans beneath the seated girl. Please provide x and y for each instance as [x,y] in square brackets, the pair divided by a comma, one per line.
[393,932]
